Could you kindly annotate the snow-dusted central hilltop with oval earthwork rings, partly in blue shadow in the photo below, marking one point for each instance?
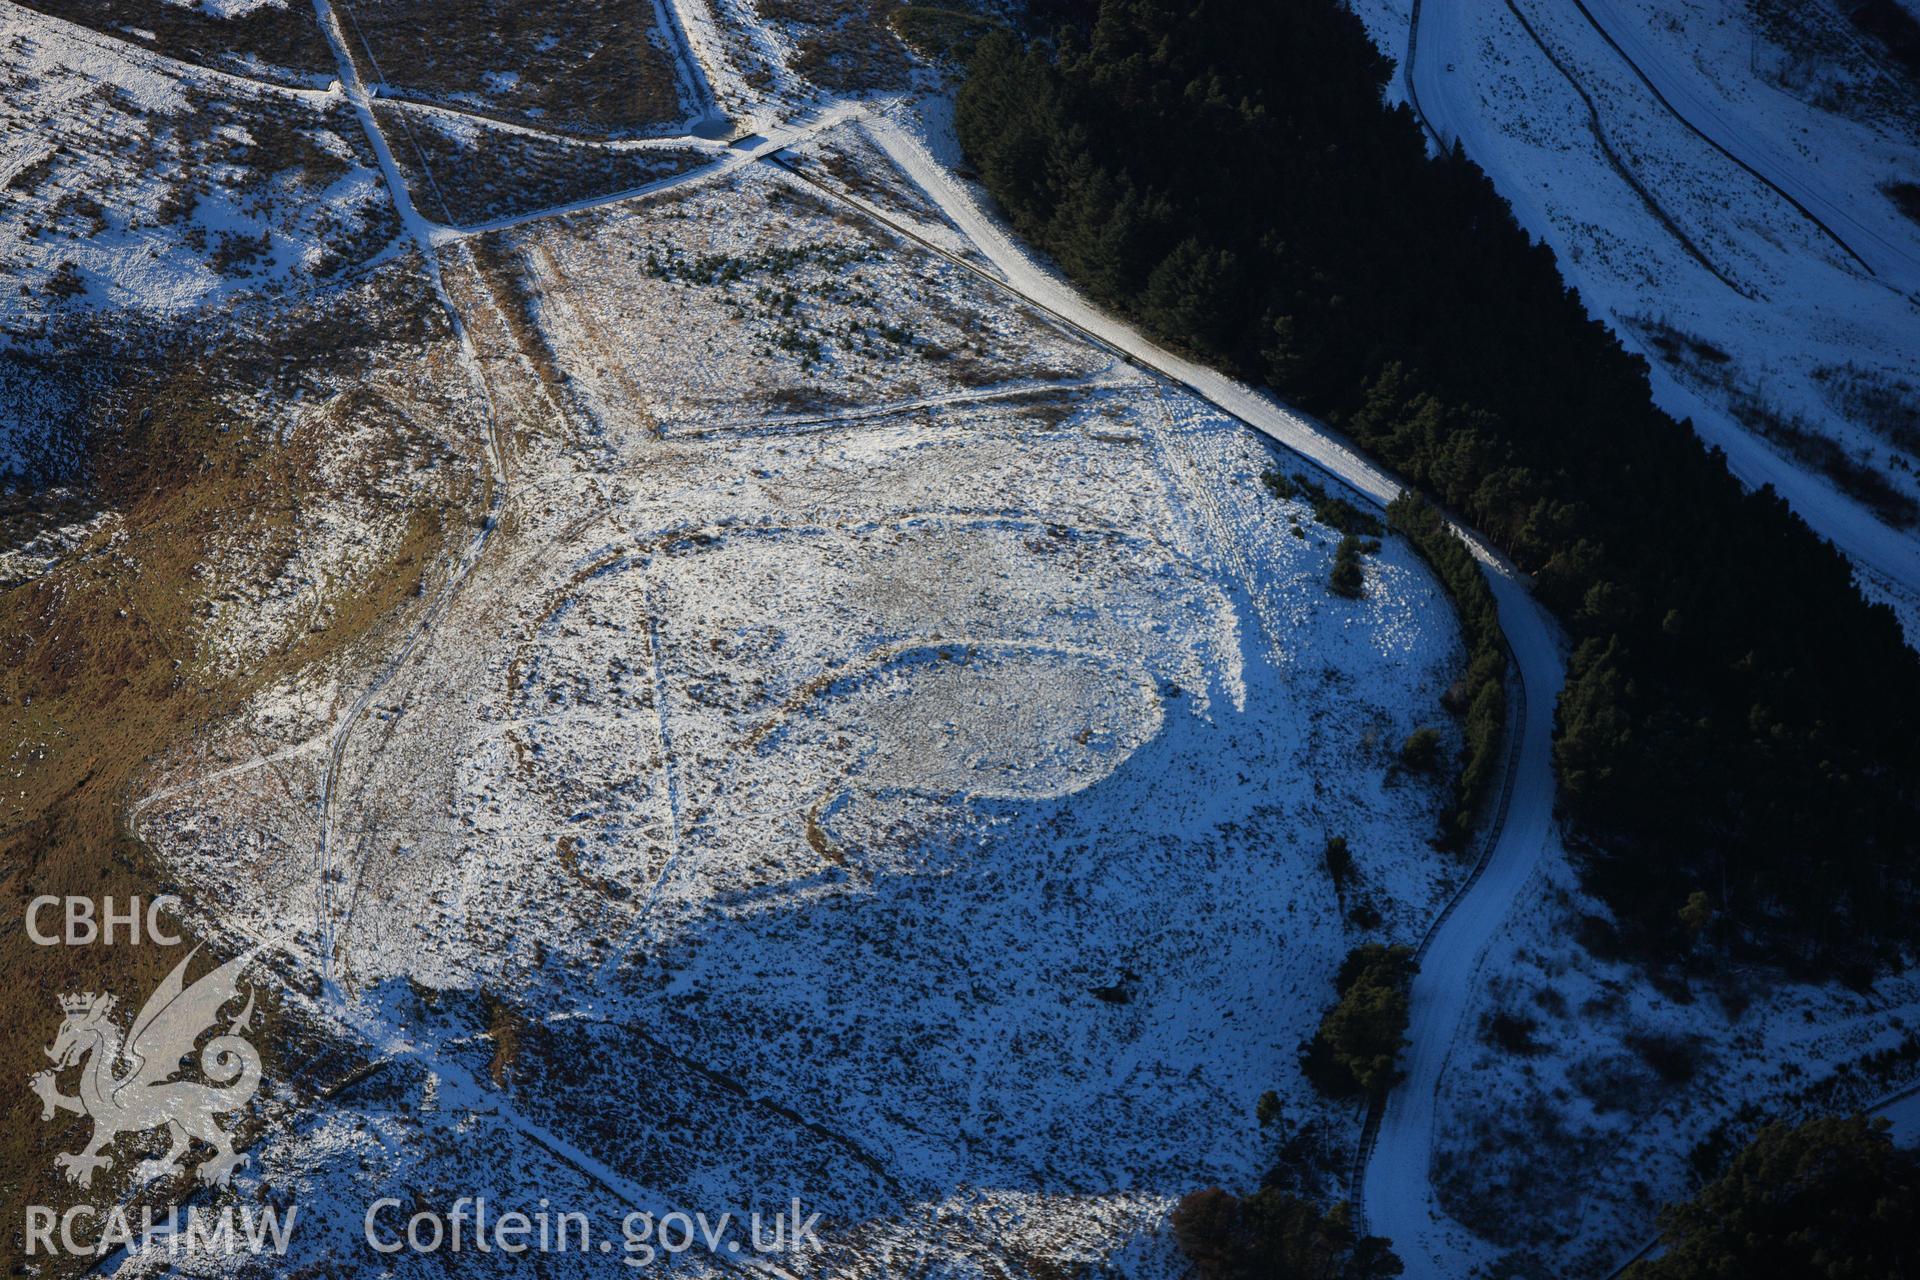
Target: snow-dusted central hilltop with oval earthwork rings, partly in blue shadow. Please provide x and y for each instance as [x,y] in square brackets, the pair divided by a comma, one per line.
[876,703]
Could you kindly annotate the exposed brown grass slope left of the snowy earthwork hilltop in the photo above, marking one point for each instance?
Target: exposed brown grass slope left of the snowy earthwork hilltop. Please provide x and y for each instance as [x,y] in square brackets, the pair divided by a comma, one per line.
[107,661]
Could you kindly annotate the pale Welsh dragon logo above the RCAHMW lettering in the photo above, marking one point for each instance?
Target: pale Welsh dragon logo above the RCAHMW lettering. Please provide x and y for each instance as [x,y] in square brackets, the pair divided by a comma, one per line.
[128,1087]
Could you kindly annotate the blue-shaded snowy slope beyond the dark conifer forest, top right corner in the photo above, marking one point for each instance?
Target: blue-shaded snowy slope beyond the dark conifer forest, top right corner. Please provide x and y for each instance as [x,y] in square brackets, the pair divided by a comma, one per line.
[1717,181]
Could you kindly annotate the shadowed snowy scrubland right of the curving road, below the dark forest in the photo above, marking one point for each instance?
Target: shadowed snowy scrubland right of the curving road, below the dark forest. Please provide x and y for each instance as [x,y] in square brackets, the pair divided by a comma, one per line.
[1589,1091]
